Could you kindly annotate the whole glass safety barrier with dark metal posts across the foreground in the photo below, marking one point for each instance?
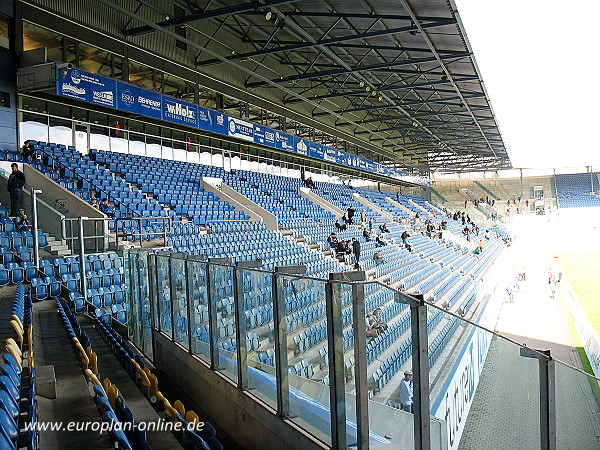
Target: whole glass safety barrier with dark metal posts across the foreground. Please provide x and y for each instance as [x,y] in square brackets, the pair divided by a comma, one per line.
[299,345]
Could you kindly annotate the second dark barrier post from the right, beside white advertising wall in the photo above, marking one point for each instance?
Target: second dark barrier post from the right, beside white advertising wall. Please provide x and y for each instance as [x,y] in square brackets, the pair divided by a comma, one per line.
[420,360]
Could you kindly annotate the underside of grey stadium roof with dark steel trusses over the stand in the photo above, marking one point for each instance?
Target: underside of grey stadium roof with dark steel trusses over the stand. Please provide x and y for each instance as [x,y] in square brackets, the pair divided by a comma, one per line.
[399,75]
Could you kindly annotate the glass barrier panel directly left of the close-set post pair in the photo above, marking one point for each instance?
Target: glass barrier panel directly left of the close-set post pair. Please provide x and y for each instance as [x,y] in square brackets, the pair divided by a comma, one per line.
[307,362]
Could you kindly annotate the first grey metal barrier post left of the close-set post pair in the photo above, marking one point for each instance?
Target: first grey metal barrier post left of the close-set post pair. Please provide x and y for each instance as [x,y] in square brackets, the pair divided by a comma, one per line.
[280,335]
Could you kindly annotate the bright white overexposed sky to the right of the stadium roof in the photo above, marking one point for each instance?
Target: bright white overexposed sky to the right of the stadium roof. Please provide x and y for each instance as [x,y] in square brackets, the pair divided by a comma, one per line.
[540,65]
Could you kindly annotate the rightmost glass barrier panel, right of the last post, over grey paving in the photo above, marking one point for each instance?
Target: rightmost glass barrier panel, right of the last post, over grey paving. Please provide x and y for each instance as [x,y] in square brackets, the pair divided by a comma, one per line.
[577,407]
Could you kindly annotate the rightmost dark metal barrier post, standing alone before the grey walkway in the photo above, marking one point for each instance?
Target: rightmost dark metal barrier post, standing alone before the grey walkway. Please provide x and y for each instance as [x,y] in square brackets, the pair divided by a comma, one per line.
[547,396]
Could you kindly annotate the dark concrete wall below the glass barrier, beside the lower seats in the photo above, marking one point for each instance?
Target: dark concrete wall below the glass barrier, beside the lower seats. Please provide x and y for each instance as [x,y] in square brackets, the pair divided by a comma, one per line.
[252,425]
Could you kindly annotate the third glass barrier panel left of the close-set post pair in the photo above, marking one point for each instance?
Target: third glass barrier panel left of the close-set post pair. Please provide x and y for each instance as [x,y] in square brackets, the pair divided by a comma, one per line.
[221,288]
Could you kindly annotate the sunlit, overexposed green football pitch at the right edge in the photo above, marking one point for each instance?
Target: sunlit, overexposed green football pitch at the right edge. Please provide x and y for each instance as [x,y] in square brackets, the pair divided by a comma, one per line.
[583,272]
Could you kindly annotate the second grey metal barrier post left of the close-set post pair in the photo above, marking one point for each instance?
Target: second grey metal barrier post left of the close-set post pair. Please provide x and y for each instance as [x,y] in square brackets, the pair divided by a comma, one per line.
[240,320]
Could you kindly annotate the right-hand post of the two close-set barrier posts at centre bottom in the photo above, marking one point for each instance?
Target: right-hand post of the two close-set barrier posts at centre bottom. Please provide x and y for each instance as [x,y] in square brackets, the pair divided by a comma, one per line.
[360,360]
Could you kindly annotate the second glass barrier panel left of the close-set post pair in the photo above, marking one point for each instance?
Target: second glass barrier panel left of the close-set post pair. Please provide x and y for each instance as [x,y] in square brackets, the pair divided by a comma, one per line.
[256,312]
